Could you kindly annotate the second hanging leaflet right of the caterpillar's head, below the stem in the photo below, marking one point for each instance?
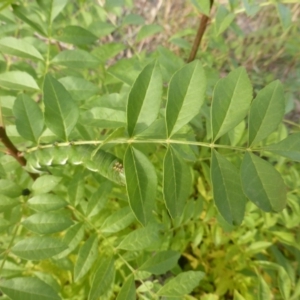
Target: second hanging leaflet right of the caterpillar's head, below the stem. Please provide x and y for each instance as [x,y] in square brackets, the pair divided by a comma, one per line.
[177,182]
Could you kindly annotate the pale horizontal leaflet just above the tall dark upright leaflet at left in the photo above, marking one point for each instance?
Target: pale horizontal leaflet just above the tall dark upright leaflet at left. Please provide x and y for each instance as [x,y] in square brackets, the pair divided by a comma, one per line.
[76,59]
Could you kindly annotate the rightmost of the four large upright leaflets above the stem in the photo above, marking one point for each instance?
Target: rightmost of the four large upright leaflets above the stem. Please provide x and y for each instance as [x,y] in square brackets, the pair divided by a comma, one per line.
[266,113]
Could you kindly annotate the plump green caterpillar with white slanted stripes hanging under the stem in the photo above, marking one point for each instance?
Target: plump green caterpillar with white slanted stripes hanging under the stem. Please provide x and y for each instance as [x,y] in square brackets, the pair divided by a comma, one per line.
[102,162]
